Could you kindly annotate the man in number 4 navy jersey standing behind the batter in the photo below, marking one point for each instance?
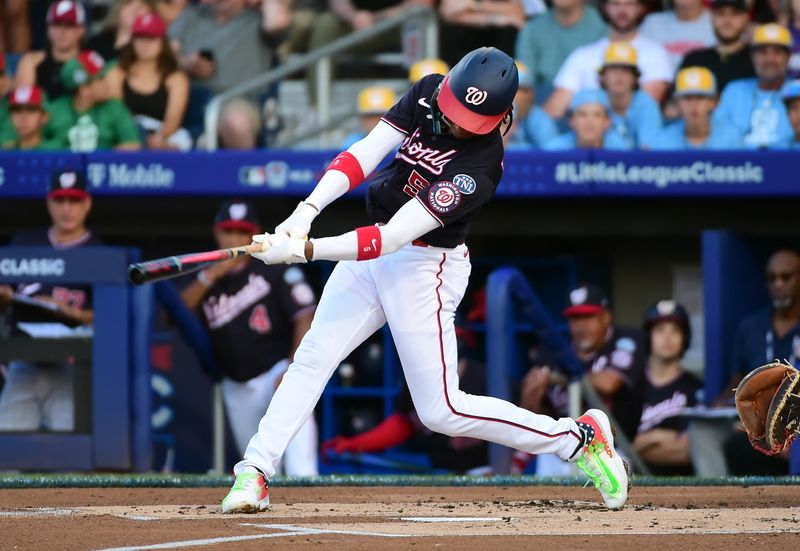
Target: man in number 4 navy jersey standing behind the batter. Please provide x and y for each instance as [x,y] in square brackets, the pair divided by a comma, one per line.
[256,316]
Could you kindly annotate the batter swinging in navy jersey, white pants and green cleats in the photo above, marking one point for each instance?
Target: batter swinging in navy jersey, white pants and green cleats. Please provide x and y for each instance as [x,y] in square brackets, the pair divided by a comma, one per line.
[410,269]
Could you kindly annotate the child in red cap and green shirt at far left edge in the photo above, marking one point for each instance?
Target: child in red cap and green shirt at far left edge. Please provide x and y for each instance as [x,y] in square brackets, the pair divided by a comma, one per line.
[28,120]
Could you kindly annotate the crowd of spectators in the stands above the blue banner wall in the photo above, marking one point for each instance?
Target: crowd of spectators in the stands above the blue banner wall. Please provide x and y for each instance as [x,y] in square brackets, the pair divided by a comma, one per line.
[615,74]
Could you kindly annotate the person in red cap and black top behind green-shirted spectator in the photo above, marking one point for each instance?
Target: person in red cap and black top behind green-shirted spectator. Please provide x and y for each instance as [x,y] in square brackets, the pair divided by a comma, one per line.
[66,27]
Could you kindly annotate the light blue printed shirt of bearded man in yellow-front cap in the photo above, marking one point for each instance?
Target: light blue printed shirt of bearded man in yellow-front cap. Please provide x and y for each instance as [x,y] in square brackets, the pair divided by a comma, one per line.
[757,116]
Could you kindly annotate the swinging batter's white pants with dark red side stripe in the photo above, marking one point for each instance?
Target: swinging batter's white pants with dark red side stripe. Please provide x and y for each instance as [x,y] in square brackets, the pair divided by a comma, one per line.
[416,291]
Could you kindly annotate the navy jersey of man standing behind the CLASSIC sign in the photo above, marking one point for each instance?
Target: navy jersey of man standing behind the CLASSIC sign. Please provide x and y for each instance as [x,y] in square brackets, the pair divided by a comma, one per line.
[78,296]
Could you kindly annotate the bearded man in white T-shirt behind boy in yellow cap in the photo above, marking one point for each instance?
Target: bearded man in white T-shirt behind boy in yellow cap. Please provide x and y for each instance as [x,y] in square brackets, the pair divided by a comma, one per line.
[580,68]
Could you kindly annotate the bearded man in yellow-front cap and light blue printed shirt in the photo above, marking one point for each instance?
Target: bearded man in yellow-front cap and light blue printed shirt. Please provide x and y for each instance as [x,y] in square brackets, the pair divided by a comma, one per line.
[753,106]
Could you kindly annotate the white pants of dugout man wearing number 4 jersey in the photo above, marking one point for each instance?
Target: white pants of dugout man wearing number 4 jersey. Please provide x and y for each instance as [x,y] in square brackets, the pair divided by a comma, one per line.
[245,403]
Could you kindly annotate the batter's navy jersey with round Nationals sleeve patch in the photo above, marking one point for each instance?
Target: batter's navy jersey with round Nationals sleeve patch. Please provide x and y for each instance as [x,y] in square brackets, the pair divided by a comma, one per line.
[452,178]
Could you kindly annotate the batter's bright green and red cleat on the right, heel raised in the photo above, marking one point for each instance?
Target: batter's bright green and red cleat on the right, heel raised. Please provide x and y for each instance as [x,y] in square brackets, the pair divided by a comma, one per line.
[601,462]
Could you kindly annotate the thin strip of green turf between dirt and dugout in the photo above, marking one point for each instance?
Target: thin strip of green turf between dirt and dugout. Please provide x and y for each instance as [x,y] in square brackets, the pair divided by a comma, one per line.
[159,480]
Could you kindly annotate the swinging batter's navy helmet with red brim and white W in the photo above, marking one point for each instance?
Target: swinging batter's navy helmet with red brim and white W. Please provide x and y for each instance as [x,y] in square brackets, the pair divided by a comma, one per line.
[478,92]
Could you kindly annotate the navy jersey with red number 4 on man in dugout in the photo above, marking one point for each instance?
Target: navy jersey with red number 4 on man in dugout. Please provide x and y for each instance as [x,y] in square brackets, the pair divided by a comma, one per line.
[249,315]
